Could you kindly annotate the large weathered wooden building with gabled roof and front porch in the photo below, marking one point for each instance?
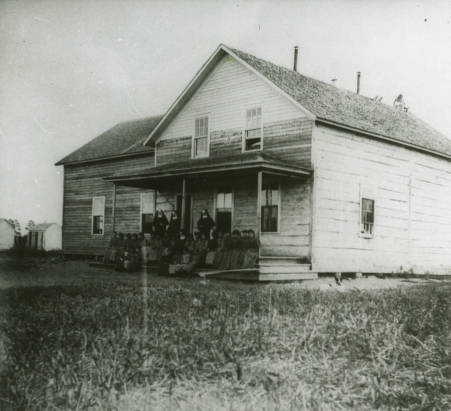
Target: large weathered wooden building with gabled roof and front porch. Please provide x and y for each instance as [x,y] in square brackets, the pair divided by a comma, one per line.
[329,179]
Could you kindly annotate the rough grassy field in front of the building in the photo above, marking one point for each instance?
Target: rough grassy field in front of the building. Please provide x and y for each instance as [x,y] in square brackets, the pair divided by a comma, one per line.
[204,345]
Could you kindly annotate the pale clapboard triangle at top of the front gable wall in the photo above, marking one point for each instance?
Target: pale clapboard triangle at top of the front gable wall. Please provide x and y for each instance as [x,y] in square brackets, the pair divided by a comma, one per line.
[225,94]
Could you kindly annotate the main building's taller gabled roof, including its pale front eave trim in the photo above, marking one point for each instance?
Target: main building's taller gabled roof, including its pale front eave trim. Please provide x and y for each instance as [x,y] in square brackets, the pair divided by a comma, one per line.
[325,103]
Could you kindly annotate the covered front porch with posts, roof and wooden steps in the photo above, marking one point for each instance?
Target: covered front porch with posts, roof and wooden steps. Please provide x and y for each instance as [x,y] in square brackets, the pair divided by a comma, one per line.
[251,191]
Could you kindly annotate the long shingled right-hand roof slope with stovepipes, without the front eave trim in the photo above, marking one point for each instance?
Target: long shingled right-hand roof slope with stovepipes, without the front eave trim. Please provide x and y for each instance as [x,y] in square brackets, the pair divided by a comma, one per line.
[346,108]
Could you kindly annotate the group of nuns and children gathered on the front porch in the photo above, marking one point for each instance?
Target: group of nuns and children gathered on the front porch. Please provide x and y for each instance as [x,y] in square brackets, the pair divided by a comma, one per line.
[178,252]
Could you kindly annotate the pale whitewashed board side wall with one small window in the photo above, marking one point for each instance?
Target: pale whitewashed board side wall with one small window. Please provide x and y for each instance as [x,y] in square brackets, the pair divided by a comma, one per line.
[411,191]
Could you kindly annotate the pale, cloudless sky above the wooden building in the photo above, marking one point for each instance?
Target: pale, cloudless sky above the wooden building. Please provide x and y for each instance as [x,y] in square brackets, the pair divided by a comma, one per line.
[69,70]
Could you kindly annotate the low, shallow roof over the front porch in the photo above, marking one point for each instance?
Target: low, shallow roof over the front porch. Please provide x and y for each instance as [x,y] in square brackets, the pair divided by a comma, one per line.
[258,161]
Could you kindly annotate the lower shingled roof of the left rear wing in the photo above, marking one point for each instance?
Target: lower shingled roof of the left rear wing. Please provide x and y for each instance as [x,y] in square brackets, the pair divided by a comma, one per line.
[123,139]
